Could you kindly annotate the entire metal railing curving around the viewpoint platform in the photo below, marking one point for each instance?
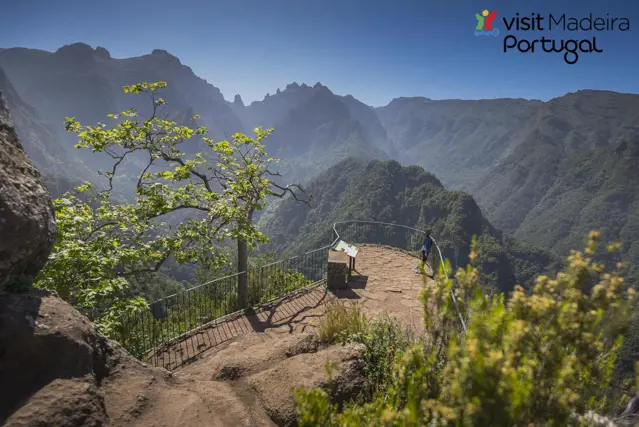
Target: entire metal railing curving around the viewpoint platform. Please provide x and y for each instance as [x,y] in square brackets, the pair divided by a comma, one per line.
[176,317]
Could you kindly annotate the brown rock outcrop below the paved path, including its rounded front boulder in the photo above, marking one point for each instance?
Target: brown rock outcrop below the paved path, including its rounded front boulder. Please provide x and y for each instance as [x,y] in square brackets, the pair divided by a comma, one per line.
[267,370]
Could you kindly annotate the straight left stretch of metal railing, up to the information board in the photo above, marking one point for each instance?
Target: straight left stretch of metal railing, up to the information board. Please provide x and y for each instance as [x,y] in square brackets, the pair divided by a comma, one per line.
[178,316]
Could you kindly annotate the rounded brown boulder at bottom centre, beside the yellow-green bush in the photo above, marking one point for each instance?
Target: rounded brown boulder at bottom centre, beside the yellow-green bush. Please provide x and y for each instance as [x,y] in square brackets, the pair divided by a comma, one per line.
[275,387]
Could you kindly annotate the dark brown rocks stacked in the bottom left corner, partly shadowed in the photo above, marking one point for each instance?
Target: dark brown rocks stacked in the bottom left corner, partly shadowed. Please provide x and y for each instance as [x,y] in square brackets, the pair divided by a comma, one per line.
[51,360]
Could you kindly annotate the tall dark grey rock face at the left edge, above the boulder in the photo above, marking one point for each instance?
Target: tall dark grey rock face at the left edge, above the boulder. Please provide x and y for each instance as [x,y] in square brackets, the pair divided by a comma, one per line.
[26,215]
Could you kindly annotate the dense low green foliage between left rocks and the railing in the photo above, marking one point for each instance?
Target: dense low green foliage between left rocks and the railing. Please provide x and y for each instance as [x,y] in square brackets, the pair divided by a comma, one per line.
[88,250]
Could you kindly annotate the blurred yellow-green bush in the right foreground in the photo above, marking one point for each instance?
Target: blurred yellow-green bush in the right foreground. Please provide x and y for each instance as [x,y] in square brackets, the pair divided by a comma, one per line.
[541,358]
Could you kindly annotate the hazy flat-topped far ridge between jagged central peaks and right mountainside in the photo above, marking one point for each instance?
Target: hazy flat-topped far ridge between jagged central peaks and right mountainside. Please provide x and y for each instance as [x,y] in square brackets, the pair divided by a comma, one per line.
[455,139]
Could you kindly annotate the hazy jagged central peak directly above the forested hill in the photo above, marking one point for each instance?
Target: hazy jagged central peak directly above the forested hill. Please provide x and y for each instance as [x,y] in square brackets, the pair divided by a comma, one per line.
[314,128]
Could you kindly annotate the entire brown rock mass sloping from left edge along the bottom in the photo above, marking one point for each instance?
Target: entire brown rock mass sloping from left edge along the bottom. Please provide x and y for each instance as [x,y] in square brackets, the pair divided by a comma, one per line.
[57,370]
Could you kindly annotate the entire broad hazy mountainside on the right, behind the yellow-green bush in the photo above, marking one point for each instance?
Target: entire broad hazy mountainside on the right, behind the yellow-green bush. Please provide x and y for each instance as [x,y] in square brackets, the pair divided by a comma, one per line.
[546,171]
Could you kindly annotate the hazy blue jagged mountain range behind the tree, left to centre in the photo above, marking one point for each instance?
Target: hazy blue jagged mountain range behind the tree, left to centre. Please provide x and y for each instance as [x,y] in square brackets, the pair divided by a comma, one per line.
[314,127]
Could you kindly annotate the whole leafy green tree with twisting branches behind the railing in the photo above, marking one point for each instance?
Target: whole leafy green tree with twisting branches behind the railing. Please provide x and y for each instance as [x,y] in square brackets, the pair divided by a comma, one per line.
[184,207]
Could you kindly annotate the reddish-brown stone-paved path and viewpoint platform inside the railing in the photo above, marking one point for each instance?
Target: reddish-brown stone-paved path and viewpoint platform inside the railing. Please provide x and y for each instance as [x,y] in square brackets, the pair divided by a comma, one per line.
[384,282]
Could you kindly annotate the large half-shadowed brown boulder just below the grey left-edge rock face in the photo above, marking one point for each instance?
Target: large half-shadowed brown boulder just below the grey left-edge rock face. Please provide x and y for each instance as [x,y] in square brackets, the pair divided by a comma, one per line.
[43,339]
